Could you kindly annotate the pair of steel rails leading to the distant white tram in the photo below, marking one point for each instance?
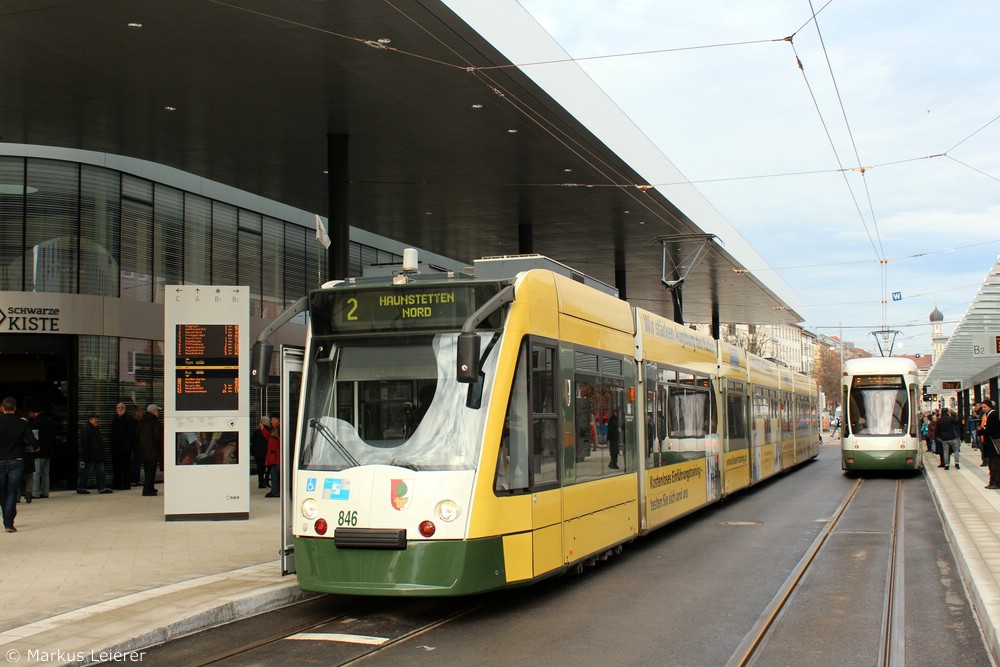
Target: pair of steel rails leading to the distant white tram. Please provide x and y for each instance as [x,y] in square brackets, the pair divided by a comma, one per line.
[892,632]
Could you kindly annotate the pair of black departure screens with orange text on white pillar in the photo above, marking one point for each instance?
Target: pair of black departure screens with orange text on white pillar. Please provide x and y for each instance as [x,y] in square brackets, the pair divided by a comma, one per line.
[208,367]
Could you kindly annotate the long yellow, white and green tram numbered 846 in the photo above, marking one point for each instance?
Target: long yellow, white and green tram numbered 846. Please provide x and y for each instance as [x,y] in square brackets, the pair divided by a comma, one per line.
[461,434]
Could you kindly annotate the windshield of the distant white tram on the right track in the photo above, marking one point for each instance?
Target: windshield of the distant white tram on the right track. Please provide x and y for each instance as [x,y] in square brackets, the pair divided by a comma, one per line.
[878,405]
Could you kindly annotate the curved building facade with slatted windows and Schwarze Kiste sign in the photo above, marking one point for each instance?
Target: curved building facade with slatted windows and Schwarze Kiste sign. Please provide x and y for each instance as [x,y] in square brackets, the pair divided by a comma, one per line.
[88,241]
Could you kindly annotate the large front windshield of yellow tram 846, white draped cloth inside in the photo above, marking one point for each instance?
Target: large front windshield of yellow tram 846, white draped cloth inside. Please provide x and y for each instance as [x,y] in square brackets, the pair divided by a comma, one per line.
[392,402]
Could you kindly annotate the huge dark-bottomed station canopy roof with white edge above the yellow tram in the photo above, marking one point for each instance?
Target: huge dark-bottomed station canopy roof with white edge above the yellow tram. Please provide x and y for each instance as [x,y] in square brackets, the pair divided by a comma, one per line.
[451,148]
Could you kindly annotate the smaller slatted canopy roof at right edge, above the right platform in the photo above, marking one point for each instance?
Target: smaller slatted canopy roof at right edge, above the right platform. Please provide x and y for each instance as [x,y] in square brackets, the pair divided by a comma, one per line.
[972,354]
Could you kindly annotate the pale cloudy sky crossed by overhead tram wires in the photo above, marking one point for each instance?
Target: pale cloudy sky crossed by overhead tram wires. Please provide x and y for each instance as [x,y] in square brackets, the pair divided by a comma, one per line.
[910,90]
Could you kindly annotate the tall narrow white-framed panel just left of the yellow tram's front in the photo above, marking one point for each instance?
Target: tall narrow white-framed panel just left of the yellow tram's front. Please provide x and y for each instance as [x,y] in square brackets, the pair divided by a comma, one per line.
[291,388]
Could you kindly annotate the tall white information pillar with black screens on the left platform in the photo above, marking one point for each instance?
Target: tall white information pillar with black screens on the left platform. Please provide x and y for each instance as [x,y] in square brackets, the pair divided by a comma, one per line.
[206,402]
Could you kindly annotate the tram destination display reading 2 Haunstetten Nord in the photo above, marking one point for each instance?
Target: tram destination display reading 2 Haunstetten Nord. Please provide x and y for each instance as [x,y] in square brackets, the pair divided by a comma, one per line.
[431,307]
